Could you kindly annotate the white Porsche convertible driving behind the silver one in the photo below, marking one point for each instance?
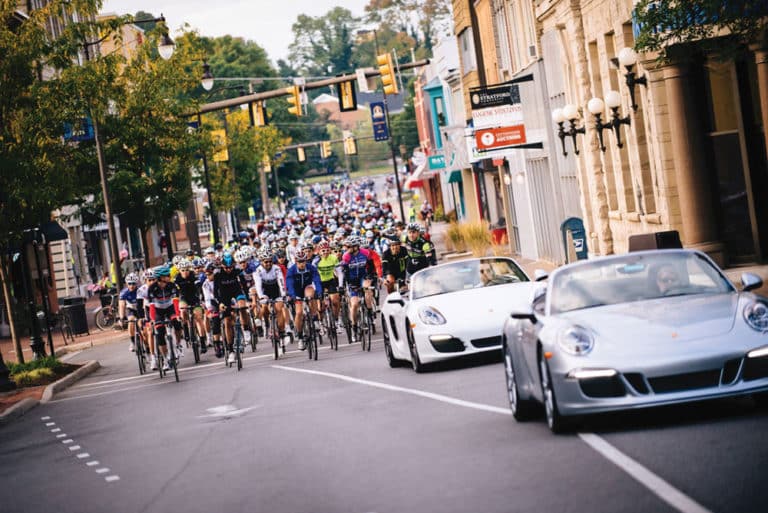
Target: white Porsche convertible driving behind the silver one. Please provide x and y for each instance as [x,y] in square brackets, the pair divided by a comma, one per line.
[451,310]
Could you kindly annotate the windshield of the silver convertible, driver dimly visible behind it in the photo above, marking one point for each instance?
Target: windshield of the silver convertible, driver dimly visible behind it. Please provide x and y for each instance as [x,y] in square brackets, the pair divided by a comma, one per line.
[634,277]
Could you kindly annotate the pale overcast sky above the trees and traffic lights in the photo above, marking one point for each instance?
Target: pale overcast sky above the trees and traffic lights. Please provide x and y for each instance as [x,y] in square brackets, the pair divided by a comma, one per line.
[266,22]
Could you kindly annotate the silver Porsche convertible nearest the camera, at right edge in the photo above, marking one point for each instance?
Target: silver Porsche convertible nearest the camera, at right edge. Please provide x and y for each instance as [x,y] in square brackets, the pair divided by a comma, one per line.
[635,330]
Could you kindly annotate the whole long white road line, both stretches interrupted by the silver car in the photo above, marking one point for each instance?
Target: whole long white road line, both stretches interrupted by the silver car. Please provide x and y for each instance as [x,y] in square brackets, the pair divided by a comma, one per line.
[662,489]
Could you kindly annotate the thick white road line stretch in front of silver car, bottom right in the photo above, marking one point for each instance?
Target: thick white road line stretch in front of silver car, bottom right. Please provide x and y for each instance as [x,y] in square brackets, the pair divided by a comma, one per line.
[654,483]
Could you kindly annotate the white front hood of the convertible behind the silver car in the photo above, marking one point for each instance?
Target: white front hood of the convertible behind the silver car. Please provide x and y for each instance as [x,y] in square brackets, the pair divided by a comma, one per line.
[486,306]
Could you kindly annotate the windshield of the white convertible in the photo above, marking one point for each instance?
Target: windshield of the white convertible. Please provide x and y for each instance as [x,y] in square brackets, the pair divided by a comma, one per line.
[467,274]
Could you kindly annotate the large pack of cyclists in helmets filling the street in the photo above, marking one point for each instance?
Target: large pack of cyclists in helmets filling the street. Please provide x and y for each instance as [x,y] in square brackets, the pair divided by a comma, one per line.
[345,243]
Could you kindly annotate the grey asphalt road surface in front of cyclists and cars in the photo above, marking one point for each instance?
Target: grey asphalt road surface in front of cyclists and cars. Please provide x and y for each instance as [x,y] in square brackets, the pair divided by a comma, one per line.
[348,434]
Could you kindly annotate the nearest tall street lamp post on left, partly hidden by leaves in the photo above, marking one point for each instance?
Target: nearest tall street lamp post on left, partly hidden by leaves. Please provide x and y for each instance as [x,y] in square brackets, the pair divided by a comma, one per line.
[165,49]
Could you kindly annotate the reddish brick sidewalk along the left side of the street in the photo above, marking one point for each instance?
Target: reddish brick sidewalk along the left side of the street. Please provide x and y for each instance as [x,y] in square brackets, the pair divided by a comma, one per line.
[95,337]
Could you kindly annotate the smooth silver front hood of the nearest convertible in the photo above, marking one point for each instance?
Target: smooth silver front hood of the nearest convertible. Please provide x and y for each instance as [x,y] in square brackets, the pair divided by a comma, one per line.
[681,317]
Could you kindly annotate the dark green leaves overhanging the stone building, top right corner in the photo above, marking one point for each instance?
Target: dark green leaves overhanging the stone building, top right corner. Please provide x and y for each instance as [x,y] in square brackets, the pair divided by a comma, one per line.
[719,26]
